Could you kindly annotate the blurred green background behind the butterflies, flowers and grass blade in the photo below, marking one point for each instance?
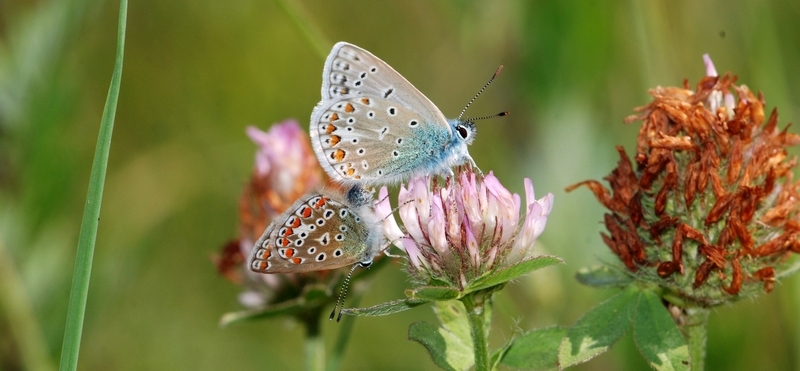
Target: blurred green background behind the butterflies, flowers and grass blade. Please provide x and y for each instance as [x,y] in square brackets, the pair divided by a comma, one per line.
[197,72]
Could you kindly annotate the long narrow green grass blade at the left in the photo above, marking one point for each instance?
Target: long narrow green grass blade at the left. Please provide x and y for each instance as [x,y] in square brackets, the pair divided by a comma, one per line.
[91,212]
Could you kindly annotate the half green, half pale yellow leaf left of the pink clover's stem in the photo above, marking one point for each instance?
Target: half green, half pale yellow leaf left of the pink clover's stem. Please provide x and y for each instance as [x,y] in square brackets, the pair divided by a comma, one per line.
[446,349]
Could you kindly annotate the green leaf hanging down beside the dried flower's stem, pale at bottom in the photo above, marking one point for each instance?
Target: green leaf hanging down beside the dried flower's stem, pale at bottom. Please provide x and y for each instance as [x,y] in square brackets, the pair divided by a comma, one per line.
[657,336]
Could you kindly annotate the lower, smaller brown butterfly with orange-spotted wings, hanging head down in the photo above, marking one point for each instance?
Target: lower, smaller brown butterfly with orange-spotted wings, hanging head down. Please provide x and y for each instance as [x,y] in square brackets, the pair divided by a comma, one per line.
[321,230]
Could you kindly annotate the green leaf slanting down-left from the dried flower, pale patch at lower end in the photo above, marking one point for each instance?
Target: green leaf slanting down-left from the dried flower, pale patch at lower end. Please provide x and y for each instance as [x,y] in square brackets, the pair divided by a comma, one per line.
[598,329]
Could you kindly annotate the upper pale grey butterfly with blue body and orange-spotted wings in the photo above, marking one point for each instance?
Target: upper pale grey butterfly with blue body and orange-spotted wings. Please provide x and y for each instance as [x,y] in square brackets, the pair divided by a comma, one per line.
[373,127]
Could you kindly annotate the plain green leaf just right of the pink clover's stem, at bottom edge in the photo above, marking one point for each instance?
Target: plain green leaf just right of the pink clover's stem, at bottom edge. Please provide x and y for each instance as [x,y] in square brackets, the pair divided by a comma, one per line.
[535,350]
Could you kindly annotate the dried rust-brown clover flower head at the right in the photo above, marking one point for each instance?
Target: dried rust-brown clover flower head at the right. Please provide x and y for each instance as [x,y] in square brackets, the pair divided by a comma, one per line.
[709,209]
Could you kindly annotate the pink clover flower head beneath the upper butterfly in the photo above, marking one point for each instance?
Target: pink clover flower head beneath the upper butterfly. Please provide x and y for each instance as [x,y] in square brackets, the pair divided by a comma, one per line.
[464,229]
